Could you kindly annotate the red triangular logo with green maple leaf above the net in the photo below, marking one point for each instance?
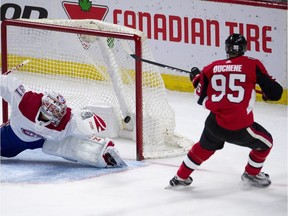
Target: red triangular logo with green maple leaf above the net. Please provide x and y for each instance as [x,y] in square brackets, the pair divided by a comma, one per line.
[84,9]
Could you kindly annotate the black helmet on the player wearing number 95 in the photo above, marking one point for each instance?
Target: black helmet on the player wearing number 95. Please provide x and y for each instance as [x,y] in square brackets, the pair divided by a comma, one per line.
[236,44]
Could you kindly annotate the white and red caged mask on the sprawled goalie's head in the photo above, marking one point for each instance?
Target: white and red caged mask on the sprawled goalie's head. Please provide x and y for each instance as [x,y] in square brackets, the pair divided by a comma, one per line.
[53,107]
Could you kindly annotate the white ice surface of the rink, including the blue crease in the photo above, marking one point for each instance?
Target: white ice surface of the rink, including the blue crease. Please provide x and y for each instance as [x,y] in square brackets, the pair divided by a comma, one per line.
[37,184]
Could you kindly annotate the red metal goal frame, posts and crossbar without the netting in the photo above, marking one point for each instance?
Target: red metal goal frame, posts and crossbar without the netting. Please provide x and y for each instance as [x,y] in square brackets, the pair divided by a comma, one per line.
[138,65]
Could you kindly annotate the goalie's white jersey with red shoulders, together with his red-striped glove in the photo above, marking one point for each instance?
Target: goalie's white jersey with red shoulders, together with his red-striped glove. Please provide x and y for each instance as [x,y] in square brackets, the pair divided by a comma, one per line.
[25,106]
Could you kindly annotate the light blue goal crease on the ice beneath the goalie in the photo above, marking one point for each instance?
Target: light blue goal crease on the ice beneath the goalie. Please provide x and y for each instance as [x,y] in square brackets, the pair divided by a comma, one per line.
[35,170]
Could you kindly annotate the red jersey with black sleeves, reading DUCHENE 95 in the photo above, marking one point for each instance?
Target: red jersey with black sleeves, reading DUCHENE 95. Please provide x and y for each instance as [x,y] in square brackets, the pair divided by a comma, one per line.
[227,89]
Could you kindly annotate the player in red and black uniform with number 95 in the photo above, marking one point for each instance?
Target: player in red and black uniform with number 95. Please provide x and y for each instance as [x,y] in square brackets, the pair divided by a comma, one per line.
[227,89]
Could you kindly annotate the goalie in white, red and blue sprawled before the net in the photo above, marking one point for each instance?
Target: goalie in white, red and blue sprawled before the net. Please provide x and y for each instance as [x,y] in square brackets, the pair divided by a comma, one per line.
[44,121]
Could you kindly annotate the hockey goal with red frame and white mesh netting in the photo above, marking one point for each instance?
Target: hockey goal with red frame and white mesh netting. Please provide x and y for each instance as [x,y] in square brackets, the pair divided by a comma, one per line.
[89,62]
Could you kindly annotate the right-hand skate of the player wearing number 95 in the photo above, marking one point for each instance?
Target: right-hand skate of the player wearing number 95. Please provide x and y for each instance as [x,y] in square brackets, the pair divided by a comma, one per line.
[260,180]
